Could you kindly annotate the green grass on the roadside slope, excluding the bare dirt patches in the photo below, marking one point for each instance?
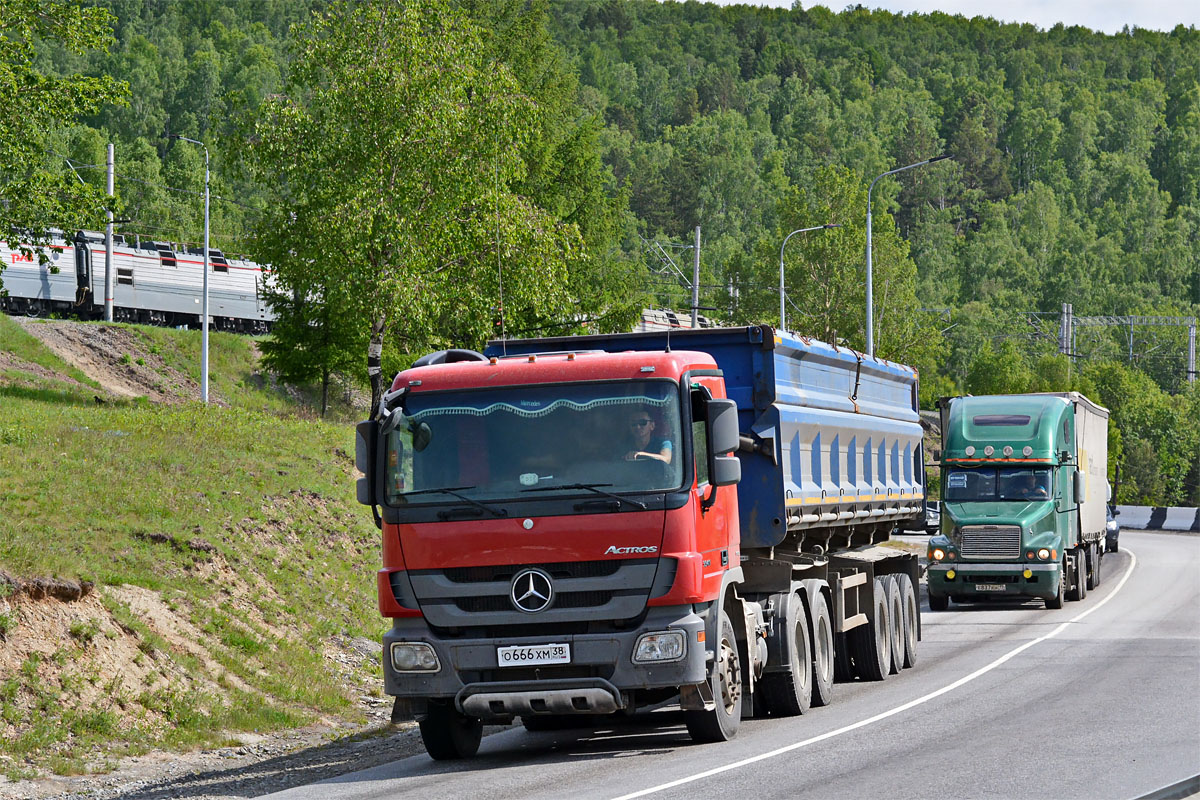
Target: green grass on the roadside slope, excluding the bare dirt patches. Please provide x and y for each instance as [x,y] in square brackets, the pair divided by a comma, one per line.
[159,497]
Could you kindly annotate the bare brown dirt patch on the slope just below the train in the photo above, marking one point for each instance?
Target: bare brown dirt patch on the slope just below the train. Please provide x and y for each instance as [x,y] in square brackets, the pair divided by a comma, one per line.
[117,359]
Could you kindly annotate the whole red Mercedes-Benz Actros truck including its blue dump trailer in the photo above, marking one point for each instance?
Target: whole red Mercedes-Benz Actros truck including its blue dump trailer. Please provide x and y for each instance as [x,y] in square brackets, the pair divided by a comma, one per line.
[587,526]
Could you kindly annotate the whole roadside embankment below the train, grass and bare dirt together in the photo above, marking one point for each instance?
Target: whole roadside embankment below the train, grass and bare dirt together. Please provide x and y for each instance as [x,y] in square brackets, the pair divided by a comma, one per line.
[172,574]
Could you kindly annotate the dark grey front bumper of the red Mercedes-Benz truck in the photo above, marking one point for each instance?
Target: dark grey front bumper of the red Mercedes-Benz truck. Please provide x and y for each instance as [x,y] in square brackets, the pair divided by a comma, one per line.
[602,671]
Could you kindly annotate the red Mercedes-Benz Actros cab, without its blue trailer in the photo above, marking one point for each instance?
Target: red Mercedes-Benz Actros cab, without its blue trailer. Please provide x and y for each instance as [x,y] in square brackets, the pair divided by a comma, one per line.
[542,555]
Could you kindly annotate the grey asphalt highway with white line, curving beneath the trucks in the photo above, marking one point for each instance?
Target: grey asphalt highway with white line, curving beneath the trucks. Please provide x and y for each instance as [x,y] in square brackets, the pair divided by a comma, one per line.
[1099,700]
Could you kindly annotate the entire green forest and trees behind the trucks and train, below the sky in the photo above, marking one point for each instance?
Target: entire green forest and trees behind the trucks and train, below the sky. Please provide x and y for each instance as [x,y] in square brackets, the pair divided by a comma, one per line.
[442,172]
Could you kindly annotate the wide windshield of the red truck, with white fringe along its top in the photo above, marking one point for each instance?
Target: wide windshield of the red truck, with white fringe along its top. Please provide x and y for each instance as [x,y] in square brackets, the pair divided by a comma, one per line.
[501,443]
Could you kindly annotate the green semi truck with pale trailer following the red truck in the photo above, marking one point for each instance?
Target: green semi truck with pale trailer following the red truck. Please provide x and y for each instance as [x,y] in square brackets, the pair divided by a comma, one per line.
[1024,494]
